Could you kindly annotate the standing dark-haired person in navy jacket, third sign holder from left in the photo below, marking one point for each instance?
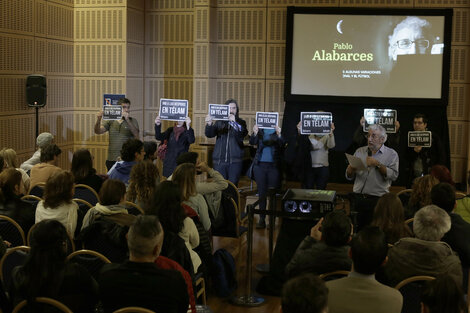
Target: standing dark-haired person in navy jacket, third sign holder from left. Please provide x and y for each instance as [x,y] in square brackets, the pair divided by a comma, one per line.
[228,151]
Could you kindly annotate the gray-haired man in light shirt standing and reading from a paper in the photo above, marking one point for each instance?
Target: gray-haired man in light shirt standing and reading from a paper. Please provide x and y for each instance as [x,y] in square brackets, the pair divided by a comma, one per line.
[380,168]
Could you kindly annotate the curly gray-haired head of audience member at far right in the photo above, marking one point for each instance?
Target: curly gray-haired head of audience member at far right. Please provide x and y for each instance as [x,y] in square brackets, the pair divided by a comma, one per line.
[431,223]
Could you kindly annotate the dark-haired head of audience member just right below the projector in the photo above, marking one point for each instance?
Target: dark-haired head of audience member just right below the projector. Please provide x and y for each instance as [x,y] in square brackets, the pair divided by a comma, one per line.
[336,229]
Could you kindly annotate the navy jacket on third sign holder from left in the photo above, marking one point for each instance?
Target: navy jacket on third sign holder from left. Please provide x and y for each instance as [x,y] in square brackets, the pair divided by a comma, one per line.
[229,144]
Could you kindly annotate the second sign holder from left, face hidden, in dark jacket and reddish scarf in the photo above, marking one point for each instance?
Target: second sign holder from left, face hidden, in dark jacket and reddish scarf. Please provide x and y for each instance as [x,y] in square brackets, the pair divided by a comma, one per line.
[178,139]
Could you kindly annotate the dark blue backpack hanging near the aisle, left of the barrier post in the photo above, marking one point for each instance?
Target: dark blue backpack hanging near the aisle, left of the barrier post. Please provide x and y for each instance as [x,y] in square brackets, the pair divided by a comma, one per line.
[224,278]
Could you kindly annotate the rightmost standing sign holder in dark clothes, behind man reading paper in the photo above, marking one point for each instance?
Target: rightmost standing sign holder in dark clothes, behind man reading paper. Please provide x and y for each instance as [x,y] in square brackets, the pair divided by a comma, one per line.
[421,159]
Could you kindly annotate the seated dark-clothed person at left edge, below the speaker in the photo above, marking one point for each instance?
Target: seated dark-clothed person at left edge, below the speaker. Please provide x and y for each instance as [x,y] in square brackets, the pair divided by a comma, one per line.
[10,203]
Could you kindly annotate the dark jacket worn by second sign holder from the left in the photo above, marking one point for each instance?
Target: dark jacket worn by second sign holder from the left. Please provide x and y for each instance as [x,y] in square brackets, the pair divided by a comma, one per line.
[174,147]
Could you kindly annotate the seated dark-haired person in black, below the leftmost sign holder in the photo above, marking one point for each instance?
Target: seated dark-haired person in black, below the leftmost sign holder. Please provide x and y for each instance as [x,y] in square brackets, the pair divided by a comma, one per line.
[83,171]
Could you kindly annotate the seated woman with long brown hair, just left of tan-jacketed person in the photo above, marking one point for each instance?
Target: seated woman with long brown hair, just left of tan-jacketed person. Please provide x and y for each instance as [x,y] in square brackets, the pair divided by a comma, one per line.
[185,177]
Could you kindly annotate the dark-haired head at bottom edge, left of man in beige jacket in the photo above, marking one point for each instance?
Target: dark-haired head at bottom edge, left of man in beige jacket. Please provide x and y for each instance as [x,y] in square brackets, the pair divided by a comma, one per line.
[304,294]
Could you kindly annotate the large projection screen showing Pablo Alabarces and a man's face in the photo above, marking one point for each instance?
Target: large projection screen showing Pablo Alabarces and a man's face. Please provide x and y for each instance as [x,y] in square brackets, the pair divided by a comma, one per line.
[366,55]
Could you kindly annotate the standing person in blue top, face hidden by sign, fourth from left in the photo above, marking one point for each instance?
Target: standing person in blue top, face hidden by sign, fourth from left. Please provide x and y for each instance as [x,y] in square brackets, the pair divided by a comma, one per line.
[266,163]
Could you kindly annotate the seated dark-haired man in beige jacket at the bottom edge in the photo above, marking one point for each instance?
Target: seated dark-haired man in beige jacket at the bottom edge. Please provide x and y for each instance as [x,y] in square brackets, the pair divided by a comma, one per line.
[360,292]
